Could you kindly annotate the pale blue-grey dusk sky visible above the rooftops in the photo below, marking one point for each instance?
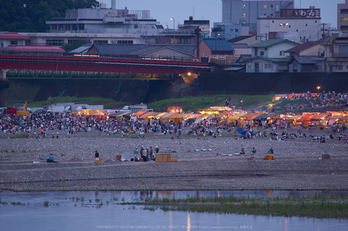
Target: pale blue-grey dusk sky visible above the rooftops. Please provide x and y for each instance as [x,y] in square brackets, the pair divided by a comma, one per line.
[181,10]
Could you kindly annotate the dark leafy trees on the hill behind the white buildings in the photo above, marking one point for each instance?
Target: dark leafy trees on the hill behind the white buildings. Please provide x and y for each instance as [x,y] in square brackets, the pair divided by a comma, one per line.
[31,15]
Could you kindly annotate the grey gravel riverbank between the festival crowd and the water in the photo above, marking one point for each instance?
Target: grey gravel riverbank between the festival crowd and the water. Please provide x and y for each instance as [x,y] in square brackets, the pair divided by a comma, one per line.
[297,165]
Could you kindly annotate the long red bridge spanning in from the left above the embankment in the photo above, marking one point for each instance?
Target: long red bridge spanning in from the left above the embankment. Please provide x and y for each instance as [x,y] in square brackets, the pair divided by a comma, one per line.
[99,64]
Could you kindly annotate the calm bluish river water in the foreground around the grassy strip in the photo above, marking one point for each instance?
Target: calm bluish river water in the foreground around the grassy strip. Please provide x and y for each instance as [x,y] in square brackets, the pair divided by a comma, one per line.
[93,210]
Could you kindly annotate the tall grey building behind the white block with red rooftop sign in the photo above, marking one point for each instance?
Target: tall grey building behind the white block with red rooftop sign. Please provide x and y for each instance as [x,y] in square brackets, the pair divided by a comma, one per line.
[246,12]
